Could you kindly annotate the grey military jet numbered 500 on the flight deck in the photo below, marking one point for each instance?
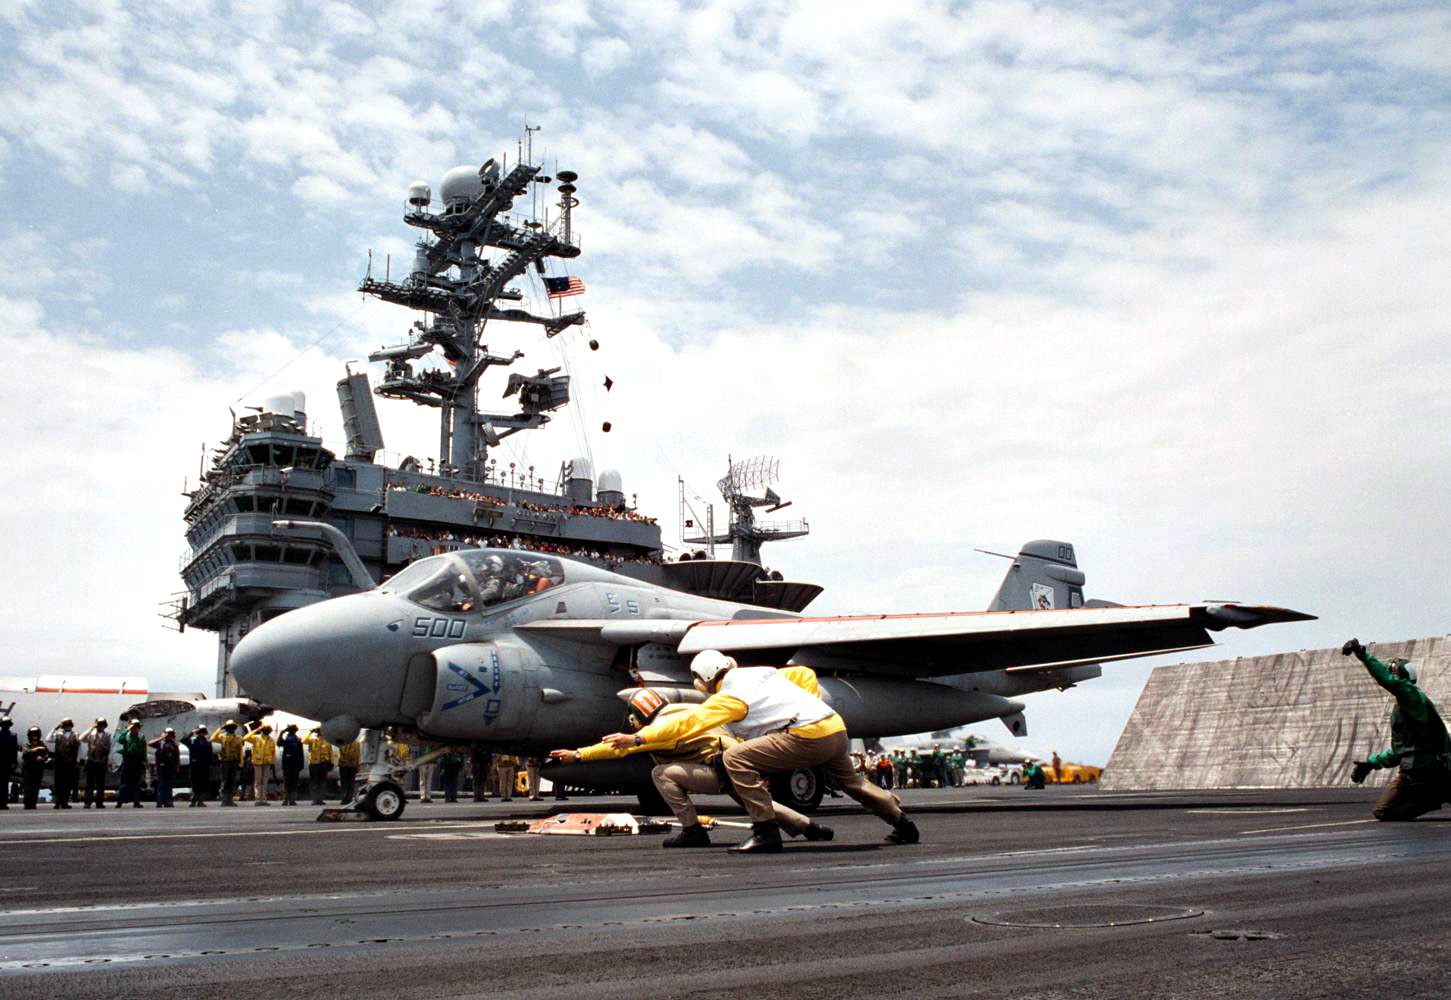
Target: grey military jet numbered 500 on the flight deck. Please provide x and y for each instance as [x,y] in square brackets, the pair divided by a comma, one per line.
[523,652]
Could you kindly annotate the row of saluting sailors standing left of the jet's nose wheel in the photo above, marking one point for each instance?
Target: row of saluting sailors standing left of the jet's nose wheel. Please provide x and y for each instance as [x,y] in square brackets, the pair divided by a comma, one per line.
[231,764]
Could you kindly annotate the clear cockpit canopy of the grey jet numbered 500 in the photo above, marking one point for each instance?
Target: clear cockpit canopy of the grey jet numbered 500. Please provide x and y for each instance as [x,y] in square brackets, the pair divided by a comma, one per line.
[475,578]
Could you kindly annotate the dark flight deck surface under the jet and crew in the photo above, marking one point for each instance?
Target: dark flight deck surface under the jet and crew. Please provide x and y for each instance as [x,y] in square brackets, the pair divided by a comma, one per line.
[1070,892]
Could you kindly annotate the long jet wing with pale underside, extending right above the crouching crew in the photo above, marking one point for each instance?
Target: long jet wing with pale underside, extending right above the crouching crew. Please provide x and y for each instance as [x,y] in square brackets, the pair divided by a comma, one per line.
[928,645]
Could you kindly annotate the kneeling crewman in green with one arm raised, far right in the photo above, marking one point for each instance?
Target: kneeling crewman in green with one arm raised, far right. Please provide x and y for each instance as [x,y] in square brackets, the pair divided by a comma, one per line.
[1418,744]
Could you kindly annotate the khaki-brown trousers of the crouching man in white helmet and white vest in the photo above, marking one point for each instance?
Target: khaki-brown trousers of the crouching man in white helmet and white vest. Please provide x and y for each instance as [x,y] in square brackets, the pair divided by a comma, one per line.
[747,763]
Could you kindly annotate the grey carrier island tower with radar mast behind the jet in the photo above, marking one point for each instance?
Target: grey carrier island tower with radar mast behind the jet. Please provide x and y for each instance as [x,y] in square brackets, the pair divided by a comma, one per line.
[242,570]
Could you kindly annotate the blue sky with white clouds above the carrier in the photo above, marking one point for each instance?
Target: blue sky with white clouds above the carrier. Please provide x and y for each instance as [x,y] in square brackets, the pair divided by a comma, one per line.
[1163,279]
